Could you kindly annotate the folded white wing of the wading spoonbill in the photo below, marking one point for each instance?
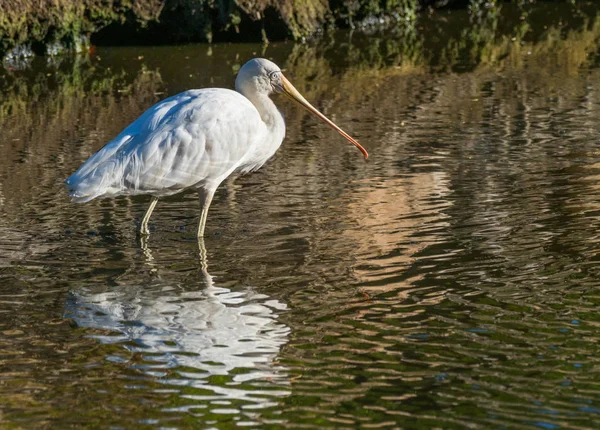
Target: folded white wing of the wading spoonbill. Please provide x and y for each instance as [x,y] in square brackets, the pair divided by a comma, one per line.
[196,138]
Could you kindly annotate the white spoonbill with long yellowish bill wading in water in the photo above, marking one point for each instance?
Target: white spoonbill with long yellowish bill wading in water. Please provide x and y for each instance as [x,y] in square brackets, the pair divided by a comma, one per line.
[195,140]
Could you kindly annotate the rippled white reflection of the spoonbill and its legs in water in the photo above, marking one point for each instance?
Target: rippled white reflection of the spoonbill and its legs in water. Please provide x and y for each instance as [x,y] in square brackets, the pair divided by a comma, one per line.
[188,335]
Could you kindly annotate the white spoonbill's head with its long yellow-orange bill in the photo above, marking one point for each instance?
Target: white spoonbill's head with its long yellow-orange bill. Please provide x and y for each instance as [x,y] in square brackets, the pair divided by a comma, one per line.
[262,76]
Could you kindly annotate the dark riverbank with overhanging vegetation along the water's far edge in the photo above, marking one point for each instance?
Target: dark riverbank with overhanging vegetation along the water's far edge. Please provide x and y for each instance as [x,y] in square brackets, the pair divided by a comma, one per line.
[53,27]
